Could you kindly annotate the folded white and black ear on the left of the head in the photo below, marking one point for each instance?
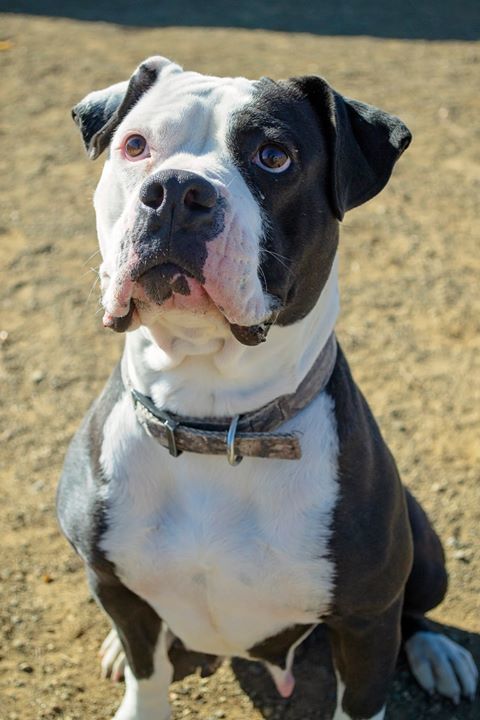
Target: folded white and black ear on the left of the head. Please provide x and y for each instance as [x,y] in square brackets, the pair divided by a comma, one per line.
[100,113]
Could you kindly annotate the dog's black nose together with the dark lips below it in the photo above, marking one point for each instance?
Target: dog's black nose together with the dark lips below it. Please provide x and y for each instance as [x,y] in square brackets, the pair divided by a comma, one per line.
[178,213]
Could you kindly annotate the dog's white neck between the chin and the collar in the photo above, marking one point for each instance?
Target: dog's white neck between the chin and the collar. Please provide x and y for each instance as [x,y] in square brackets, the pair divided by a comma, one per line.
[193,365]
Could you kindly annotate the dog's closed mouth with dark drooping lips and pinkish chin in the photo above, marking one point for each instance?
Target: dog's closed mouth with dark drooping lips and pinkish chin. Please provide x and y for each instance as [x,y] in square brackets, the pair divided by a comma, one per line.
[167,283]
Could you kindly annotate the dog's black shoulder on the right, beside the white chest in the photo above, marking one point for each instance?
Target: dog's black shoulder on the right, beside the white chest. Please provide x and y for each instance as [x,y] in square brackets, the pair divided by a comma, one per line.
[371,537]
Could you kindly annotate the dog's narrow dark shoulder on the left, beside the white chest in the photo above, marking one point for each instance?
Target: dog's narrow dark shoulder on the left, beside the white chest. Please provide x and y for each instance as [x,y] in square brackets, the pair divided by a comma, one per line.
[79,497]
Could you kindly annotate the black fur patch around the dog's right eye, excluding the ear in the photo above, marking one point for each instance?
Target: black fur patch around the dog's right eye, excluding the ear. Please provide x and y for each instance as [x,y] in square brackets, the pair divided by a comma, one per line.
[301,233]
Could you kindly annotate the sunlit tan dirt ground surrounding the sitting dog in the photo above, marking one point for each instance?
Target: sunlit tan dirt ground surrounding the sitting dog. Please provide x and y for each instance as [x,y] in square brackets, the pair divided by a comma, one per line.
[410,325]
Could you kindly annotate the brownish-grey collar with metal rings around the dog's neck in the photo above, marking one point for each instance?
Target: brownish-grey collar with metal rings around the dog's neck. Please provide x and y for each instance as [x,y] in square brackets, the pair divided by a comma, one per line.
[251,434]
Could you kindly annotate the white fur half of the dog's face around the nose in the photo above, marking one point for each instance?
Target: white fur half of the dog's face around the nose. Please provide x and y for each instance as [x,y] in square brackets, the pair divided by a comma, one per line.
[185,118]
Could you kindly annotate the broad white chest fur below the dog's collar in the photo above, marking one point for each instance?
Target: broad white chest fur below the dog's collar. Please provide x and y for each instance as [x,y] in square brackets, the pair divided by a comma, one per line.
[226,556]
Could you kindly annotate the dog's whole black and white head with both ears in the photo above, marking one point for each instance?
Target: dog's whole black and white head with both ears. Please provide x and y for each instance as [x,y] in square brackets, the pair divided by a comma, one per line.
[222,196]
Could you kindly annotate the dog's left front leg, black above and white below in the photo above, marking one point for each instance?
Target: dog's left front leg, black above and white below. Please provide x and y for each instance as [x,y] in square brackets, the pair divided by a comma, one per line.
[145,640]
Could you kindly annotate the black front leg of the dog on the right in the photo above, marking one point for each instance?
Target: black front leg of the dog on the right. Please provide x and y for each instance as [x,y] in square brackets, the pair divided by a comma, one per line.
[365,652]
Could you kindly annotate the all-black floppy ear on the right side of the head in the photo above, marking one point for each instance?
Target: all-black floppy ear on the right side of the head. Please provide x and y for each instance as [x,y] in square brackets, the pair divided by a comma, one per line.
[364,144]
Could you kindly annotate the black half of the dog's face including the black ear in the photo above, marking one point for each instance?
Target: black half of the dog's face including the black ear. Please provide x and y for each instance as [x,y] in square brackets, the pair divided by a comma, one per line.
[342,153]
